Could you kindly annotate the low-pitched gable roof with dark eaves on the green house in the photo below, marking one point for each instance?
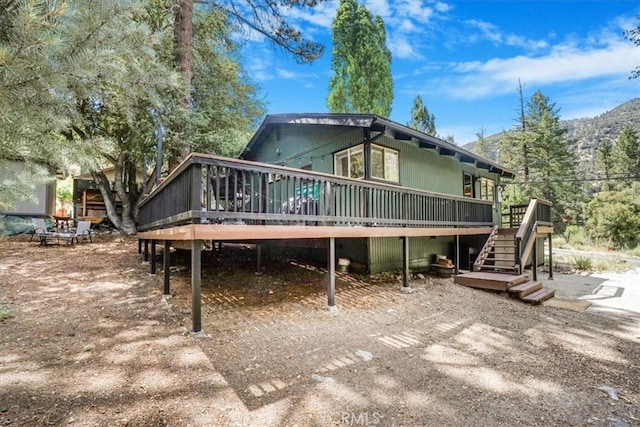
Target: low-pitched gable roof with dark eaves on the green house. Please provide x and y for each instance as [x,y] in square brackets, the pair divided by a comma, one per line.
[377,124]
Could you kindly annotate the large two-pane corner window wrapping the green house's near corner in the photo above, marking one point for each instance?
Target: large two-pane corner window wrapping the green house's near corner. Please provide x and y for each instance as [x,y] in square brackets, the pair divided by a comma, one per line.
[384,163]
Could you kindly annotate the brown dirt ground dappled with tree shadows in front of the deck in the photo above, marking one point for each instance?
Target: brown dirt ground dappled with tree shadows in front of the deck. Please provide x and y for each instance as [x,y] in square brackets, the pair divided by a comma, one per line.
[91,341]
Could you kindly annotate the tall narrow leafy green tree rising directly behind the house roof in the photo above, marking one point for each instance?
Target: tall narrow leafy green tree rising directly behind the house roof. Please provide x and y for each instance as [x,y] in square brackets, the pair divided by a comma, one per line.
[361,63]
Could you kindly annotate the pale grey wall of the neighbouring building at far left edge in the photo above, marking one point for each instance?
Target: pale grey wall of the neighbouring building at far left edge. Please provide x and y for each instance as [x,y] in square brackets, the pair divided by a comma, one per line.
[43,195]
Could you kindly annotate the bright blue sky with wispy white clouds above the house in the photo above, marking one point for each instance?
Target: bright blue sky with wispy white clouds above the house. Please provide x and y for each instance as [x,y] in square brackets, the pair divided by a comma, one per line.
[465,58]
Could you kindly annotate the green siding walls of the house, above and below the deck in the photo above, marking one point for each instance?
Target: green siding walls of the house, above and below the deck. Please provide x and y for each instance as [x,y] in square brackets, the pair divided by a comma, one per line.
[314,146]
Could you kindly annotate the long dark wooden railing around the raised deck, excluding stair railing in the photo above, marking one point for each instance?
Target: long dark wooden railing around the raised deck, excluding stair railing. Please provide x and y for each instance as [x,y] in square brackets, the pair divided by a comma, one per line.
[211,189]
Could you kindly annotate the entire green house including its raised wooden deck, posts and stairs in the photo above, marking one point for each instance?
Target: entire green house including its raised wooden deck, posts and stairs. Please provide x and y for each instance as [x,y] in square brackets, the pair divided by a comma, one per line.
[349,185]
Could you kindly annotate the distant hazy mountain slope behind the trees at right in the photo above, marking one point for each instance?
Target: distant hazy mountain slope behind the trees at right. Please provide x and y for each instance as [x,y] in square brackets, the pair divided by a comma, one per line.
[586,134]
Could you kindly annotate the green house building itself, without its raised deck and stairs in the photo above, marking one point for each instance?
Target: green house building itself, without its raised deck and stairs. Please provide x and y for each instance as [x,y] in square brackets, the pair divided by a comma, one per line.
[371,148]
